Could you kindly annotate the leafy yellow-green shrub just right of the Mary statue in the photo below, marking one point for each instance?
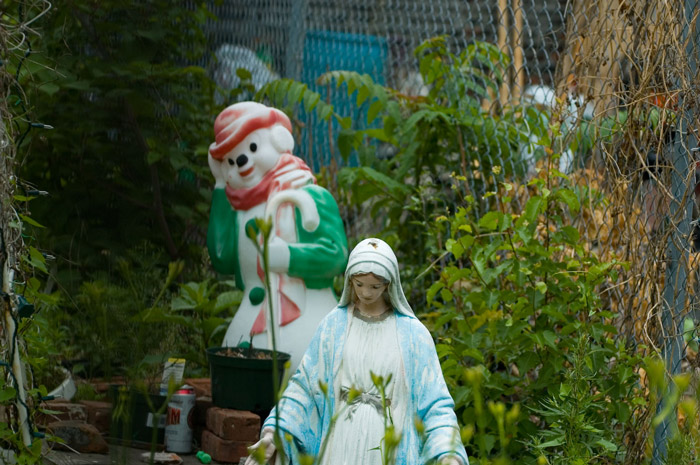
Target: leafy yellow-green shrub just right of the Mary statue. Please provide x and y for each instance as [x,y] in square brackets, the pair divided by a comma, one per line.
[519,300]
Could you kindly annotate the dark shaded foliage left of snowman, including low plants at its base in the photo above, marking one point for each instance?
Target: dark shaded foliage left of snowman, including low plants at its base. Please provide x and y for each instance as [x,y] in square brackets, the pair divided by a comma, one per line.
[129,187]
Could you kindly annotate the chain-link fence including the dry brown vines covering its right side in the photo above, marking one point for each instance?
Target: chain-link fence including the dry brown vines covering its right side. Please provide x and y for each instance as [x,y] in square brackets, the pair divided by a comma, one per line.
[618,79]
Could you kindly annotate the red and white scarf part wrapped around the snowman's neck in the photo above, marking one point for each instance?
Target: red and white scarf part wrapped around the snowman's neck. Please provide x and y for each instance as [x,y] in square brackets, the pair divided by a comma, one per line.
[289,172]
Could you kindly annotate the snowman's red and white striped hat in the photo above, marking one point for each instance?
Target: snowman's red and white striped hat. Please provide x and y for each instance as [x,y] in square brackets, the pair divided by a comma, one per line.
[238,120]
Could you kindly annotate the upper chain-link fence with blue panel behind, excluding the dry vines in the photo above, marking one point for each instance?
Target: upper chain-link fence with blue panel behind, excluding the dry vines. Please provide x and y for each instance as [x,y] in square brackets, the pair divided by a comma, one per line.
[302,39]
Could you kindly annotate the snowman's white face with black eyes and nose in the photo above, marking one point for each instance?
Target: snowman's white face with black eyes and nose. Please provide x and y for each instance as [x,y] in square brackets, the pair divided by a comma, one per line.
[247,163]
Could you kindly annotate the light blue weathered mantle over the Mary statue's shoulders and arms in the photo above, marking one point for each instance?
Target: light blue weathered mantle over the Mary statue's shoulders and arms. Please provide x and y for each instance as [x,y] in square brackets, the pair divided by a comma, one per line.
[307,411]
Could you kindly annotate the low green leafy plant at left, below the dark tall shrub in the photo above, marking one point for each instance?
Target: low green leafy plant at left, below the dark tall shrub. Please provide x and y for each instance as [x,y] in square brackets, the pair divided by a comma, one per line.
[114,299]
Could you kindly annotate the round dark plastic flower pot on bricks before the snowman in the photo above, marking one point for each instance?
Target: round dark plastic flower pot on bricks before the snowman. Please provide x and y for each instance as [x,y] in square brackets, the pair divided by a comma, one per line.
[241,378]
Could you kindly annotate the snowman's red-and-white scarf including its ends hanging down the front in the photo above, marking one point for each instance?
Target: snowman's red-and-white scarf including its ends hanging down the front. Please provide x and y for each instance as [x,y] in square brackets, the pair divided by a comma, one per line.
[290,172]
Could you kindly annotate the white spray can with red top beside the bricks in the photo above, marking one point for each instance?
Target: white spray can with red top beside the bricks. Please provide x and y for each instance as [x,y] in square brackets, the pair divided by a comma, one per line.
[178,421]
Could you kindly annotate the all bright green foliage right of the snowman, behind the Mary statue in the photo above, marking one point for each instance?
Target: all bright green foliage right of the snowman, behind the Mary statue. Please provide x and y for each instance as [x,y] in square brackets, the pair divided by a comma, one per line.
[495,264]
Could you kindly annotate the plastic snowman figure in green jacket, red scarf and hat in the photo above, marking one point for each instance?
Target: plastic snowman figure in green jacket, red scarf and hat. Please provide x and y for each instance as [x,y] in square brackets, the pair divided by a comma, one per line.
[258,177]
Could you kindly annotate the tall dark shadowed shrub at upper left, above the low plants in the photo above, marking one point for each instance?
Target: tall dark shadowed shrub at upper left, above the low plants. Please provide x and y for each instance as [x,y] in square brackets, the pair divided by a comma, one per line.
[132,119]
